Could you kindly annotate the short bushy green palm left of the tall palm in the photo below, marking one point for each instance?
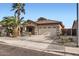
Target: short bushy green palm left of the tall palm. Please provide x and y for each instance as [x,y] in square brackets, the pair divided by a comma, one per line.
[9,23]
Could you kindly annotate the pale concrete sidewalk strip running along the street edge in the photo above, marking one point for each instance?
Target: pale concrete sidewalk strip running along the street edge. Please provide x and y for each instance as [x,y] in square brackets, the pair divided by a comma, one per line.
[49,48]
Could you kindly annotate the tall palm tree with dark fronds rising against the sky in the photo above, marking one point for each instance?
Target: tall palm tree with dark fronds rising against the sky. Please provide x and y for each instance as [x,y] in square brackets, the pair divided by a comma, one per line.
[19,9]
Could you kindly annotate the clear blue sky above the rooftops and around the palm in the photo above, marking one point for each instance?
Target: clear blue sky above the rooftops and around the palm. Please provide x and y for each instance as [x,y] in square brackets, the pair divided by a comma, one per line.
[64,12]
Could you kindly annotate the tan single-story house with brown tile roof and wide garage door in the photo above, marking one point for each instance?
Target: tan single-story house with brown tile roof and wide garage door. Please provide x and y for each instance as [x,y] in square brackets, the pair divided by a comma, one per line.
[44,26]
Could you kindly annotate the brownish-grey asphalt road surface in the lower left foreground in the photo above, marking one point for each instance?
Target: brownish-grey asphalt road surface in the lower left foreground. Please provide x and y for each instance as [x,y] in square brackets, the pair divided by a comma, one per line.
[6,50]
